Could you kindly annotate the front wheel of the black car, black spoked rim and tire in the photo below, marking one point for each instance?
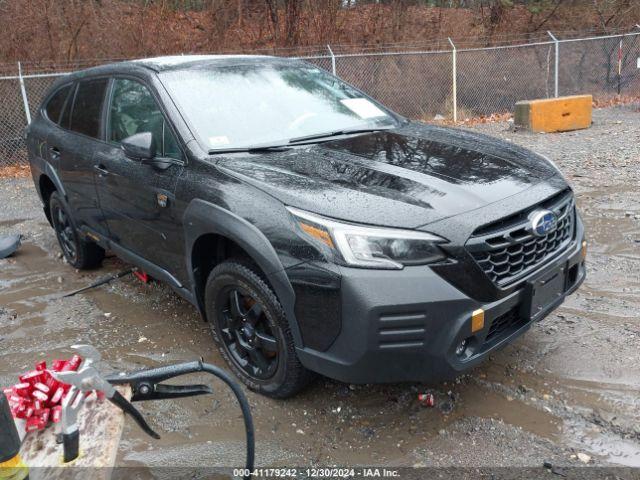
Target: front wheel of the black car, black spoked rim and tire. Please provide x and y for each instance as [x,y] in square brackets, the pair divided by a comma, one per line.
[264,332]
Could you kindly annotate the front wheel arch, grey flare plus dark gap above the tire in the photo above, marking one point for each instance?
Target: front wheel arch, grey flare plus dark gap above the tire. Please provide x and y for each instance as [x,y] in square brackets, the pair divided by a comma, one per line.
[213,234]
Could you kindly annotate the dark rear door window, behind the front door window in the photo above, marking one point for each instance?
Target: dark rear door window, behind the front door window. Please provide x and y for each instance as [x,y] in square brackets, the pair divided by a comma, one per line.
[87,107]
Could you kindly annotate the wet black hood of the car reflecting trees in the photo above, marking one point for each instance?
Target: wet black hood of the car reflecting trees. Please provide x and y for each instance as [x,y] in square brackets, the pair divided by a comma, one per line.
[406,177]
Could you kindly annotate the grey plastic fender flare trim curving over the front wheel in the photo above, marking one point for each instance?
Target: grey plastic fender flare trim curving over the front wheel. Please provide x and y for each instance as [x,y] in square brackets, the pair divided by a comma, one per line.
[202,218]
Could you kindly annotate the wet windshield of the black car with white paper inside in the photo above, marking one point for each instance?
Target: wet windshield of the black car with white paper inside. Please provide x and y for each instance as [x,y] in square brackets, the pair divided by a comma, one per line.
[249,105]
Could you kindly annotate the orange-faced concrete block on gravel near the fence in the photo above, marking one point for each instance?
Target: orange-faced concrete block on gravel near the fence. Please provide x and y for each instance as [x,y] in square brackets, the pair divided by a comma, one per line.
[560,114]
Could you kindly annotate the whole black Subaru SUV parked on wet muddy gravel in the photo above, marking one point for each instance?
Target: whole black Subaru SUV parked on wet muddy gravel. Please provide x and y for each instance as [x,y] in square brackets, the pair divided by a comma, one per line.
[314,229]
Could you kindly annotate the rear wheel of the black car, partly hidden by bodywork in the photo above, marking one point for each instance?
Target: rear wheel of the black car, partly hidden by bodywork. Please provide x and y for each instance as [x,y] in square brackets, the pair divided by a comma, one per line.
[79,253]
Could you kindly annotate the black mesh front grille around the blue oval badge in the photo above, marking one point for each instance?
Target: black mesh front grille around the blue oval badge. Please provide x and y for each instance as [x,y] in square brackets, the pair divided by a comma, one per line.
[507,251]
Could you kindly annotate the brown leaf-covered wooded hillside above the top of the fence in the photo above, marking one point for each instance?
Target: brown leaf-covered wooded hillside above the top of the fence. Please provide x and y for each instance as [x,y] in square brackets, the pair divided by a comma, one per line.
[67,30]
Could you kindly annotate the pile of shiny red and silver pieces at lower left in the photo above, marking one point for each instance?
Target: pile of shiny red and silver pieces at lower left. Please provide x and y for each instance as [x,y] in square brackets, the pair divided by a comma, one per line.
[37,398]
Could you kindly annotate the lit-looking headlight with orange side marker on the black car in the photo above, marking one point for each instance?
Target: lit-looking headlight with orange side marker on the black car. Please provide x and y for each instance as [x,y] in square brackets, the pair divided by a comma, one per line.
[370,247]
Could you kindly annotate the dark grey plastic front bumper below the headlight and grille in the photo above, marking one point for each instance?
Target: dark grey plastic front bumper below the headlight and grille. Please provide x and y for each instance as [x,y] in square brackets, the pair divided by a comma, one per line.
[405,325]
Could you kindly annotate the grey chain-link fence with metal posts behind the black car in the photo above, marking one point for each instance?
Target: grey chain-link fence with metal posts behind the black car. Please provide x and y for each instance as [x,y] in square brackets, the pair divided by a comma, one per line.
[453,83]
